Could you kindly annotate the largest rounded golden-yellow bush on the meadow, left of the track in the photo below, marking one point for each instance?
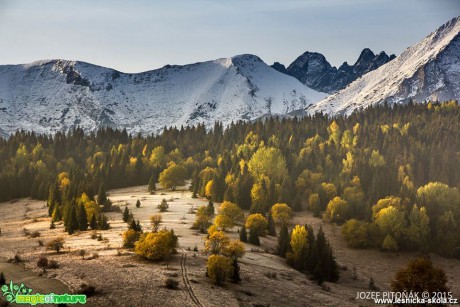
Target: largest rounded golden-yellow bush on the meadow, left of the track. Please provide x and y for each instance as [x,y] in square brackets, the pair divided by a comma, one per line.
[156,246]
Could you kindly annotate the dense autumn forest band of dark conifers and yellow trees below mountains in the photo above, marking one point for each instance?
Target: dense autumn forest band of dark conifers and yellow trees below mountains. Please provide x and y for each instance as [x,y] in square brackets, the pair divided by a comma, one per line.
[393,170]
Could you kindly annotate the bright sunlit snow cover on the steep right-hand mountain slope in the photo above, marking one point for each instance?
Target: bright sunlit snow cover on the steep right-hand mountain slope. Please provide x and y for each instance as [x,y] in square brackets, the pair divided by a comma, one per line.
[395,81]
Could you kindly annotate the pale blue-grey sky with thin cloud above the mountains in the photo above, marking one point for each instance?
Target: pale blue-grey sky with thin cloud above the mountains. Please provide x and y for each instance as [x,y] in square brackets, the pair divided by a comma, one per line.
[134,36]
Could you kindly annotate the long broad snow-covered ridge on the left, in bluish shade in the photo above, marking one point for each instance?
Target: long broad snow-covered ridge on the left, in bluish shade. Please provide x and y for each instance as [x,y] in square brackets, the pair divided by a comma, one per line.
[56,95]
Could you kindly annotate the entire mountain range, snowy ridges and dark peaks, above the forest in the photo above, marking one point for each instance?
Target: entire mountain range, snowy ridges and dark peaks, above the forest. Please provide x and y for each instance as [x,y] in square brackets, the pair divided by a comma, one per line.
[58,95]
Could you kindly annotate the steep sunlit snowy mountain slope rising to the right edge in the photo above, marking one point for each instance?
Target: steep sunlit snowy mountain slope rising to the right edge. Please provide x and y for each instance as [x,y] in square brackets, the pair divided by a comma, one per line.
[429,70]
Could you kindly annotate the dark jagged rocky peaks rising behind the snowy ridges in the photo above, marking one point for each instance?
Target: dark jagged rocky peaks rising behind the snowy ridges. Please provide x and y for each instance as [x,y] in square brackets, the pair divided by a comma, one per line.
[313,70]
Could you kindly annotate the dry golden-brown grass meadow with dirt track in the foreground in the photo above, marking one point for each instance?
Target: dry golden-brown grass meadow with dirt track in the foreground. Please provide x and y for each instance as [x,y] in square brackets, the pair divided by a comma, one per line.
[123,279]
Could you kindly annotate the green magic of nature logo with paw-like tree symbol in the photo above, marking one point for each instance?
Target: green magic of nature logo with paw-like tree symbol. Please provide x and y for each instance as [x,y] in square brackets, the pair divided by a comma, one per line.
[21,294]
